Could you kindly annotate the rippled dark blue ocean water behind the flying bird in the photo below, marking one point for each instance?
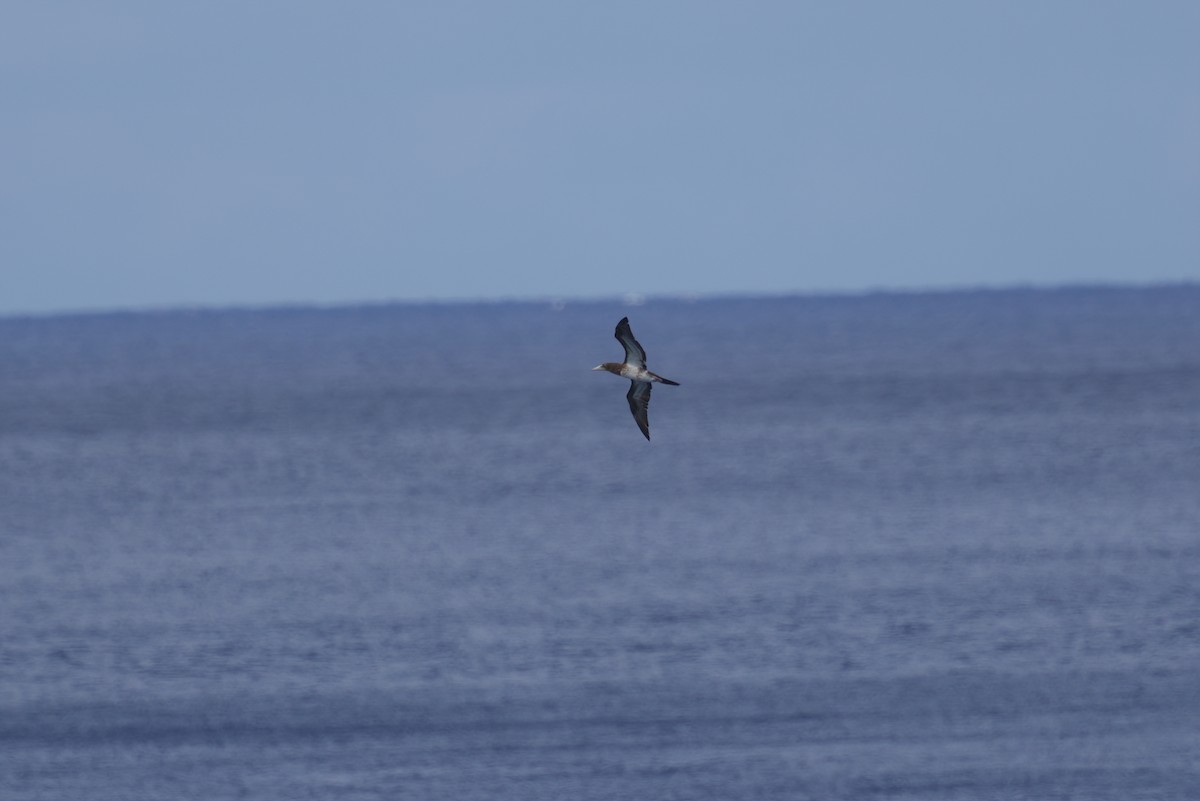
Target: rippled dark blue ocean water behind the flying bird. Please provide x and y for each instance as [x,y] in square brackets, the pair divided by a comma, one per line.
[937,546]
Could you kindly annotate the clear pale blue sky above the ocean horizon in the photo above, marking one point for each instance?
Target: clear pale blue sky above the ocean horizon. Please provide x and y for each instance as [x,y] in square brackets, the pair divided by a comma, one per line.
[247,154]
